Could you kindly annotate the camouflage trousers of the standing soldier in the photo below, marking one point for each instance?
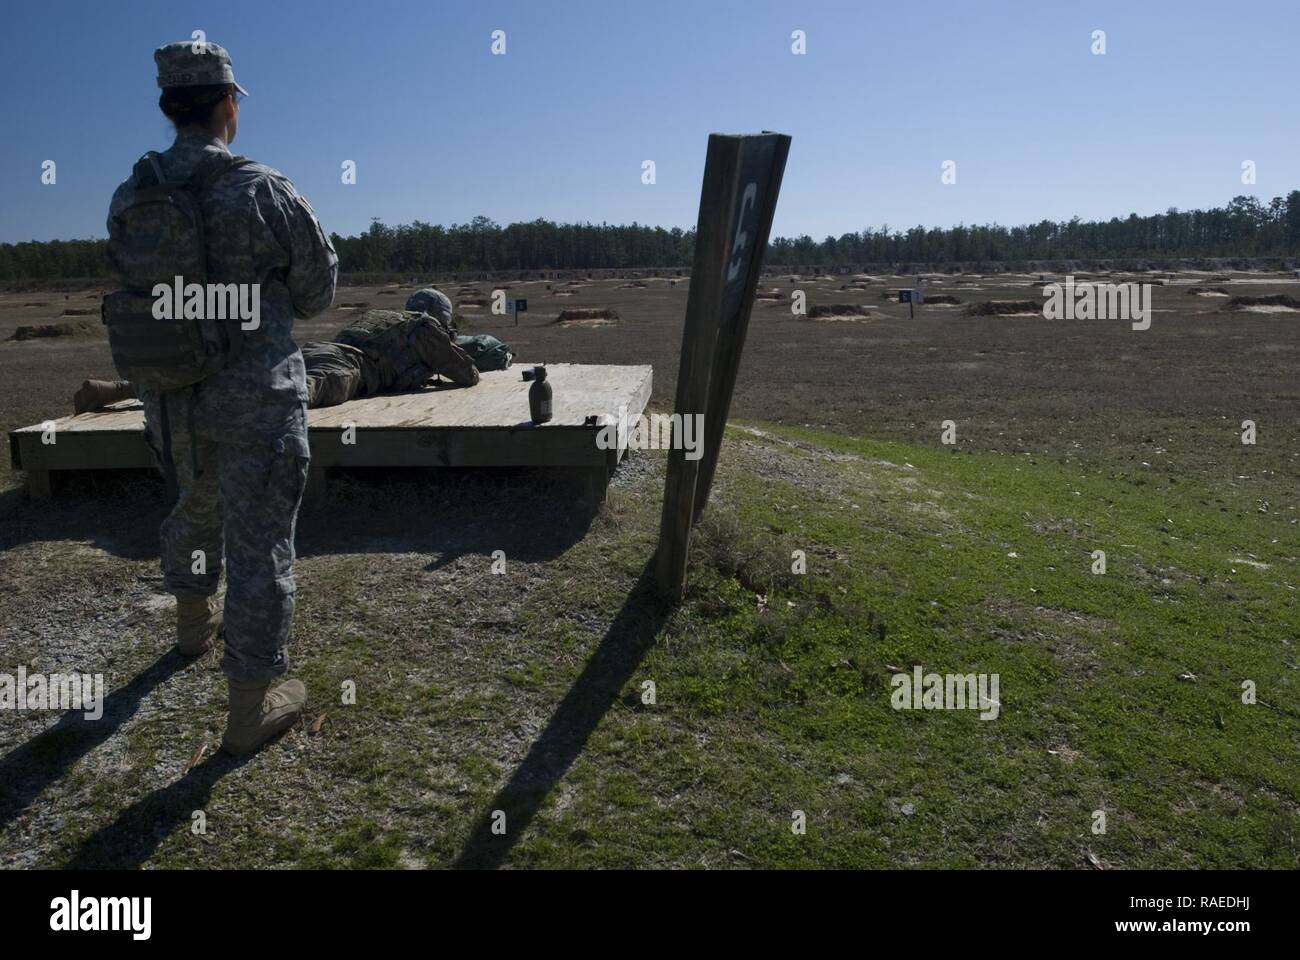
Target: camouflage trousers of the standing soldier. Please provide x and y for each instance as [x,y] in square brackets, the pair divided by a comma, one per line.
[236,507]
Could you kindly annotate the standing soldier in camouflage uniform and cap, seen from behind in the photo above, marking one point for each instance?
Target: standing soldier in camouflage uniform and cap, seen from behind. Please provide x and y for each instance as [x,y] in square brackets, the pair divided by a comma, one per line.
[233,443]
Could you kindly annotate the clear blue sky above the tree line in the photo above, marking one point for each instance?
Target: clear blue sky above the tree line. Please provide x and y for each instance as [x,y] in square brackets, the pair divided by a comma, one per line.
[558,128]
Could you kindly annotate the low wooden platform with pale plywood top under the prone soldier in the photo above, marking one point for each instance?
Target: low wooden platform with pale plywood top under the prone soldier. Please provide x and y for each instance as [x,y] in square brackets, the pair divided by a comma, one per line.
[483,426]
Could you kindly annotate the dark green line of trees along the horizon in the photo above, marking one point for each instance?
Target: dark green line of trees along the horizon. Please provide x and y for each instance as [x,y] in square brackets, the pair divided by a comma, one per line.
[1243,228]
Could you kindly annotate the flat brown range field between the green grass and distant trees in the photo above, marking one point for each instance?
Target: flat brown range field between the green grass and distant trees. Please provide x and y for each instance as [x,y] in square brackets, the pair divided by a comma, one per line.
[1089,388]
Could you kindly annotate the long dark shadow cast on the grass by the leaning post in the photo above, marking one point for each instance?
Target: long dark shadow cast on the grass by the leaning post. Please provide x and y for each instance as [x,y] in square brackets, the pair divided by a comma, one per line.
[619,654]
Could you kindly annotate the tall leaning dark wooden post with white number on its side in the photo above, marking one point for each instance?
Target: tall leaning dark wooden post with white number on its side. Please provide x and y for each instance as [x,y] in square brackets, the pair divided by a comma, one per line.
[743,179]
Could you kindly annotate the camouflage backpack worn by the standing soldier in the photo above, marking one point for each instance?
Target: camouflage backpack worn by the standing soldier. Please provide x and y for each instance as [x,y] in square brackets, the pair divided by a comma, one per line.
[158,237]
